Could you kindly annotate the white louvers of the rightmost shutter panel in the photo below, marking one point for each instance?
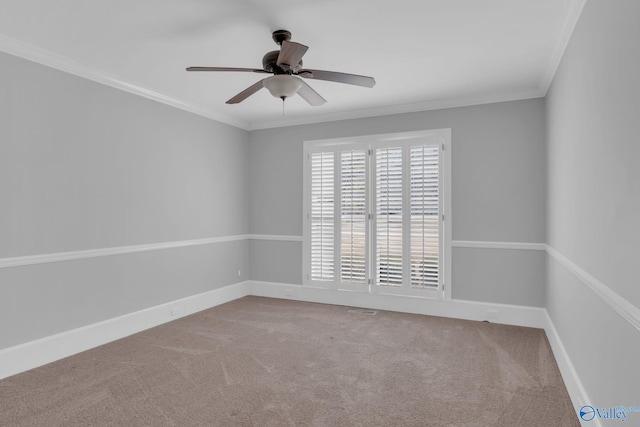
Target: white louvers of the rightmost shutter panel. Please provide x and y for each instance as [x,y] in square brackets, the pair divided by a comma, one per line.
[425,216]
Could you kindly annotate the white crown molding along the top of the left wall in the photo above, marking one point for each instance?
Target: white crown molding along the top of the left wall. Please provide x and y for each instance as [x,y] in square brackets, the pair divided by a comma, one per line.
[49,59]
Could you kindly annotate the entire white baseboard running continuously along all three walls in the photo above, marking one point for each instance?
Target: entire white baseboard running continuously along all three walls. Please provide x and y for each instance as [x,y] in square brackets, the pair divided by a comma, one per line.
[36,353]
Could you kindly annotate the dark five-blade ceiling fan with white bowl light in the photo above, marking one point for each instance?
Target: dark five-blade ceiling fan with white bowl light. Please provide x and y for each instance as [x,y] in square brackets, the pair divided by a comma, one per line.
[286,66]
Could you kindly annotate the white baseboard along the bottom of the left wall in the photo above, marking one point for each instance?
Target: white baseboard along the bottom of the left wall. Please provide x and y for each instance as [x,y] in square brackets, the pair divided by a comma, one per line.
[23,357]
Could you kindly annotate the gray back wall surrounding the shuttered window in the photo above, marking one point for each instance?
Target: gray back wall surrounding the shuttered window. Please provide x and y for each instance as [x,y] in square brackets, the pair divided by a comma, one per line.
[498,193]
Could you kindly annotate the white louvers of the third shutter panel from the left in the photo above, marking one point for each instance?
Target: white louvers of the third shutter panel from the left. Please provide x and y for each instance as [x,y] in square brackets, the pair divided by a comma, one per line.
[389,259]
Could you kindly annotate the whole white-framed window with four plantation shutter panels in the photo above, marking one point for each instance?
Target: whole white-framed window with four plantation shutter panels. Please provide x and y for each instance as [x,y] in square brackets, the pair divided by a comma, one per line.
[375,213]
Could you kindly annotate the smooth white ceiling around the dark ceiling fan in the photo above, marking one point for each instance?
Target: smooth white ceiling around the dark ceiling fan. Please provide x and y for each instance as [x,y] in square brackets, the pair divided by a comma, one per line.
[424,54]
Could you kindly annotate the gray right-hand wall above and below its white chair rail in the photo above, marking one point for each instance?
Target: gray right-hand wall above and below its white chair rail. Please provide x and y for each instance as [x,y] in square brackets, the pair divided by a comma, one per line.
[594,196]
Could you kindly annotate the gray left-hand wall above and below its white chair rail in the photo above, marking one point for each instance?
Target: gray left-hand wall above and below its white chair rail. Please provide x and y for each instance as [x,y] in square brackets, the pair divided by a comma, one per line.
[84,166]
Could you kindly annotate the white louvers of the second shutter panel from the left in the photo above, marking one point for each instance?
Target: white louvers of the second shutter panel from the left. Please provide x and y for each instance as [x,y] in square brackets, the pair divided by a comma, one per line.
[353,221]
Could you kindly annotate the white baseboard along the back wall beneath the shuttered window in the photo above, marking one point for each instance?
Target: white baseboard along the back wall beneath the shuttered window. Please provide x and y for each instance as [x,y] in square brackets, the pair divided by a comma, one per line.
[533,317]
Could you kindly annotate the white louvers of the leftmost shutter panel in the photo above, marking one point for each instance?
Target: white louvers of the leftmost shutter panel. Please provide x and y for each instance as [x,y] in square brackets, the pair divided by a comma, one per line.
[322,216]
